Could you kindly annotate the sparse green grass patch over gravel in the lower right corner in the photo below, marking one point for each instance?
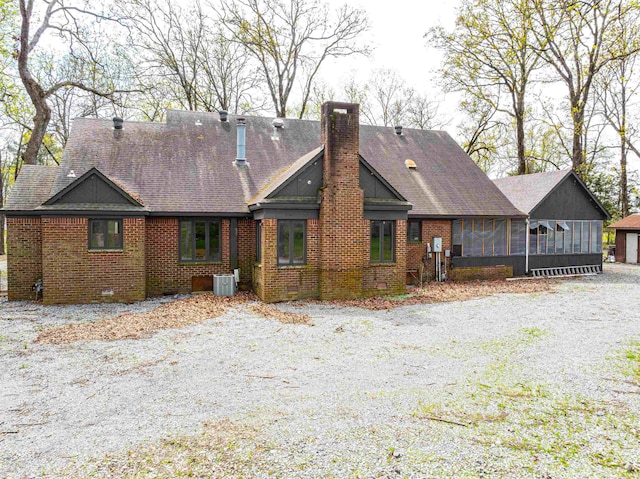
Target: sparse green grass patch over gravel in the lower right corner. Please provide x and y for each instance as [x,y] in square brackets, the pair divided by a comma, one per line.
[535,425]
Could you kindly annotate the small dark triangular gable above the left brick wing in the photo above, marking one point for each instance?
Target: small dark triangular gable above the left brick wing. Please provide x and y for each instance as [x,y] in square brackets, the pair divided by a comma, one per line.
[92,188]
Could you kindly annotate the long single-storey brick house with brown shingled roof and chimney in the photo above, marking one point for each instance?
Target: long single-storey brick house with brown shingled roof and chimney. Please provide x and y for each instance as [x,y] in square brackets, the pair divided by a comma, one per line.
[302,209]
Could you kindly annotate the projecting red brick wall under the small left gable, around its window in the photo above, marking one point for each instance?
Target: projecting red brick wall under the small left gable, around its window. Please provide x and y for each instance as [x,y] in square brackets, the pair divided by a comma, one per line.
[73,274]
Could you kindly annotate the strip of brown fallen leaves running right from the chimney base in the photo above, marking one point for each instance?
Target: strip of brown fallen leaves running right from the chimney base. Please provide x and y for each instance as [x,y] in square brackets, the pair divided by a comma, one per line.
[451,291]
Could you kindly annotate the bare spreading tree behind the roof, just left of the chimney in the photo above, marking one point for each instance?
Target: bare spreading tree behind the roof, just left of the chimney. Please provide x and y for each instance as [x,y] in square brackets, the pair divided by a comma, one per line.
[292,40]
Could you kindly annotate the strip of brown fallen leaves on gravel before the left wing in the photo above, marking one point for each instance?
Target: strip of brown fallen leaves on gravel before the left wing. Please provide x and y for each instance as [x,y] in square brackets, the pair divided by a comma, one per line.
[176,314]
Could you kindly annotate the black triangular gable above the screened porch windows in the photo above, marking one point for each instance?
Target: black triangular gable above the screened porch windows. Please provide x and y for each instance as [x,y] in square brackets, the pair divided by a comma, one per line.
[570,200]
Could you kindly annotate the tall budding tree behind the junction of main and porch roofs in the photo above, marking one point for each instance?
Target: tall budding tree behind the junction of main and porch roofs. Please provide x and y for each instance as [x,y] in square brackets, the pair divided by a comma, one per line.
[491,49]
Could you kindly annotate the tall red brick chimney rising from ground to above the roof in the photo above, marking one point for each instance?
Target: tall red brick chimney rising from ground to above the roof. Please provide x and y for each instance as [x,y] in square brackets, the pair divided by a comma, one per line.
[342,228]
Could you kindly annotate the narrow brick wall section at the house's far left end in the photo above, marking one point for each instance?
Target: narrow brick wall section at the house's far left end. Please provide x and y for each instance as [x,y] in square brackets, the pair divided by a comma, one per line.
[24,256]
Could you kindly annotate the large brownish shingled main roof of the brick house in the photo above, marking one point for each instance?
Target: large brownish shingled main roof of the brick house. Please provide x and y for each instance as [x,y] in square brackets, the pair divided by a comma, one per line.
[186,165]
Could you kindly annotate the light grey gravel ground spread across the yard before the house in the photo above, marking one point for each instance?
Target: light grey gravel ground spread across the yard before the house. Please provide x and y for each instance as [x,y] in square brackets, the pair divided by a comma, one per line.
[514,385]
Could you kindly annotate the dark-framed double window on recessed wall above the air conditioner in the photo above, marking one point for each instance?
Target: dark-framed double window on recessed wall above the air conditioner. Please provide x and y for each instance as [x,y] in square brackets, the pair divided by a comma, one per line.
[200,240]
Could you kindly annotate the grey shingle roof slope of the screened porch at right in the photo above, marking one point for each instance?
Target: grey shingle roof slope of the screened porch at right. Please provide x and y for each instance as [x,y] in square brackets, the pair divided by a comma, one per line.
[527,191]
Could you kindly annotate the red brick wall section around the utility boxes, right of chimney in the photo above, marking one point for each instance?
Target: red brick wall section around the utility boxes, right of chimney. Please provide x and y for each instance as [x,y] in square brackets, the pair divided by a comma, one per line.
[416,251]
